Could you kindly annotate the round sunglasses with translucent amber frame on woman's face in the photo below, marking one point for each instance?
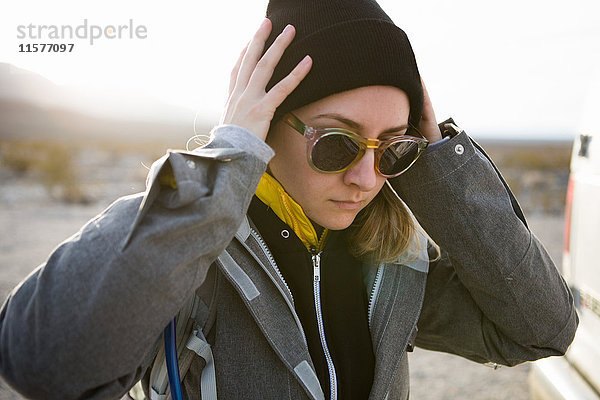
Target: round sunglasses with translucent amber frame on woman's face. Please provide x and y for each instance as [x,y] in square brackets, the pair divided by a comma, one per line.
[334,150]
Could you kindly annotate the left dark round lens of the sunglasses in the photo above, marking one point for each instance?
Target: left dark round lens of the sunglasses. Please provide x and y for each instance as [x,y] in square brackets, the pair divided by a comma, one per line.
[334,152]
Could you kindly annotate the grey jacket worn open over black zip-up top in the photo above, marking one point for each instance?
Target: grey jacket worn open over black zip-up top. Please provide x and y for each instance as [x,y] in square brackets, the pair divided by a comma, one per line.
[86,323]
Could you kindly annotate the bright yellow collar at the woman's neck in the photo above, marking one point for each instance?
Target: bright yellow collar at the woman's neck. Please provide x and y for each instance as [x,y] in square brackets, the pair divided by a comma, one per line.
[270,192]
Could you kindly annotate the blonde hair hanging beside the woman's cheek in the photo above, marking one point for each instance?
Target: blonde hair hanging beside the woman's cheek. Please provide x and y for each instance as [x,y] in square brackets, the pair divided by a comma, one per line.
[385,230]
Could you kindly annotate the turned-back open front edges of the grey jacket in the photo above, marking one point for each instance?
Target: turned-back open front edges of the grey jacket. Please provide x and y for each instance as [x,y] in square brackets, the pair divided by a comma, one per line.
[396,310]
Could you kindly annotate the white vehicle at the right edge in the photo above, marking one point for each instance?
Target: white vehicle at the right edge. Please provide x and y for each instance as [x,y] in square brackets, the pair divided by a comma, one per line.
[577,375]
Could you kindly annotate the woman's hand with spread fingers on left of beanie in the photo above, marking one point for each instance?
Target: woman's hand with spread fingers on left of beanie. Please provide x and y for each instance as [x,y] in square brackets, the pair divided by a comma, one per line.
[248,105]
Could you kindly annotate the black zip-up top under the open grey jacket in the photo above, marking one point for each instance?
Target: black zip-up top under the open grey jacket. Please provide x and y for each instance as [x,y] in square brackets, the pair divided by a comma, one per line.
[344,302]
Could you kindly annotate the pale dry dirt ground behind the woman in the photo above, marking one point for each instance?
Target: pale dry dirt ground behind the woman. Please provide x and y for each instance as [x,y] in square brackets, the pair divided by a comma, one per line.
[31,225]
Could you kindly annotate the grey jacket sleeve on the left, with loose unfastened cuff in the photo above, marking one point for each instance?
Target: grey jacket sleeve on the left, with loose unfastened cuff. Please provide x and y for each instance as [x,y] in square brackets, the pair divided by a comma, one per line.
[83,324]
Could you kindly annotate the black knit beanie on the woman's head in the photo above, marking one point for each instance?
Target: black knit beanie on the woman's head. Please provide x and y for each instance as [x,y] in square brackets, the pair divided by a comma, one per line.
[353,43]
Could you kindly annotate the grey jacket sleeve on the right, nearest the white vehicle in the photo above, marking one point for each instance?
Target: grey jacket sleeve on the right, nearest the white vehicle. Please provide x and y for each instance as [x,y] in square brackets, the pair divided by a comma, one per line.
[494,295]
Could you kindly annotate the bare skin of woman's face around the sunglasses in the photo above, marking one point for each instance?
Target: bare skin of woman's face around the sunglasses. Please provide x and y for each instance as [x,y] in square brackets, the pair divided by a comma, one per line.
[333,200]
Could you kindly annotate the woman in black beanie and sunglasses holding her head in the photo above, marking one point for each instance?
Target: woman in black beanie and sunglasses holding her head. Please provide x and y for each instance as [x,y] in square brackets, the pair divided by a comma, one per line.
[322,281]
